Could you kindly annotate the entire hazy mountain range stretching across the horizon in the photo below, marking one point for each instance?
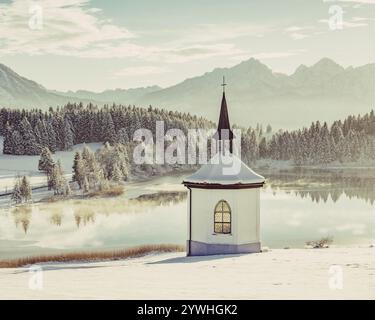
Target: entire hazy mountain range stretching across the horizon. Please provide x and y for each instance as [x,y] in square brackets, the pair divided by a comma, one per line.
[324,91]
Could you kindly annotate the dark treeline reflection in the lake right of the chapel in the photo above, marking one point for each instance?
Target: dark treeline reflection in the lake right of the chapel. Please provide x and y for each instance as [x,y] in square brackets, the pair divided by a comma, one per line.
[320,185]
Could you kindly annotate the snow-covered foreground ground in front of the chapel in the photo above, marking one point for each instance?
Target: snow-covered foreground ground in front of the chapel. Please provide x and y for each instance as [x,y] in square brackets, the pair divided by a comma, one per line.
[276,274]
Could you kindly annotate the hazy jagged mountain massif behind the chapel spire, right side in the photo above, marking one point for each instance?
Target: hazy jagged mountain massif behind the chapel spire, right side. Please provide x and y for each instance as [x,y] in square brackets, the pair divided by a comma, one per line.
[325,91]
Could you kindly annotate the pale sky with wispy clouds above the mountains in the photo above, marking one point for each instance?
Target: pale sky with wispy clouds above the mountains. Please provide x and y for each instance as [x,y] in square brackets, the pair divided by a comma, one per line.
[107,44]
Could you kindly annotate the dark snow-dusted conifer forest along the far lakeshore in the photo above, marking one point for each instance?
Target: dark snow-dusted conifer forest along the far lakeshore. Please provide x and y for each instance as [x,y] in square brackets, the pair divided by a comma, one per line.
[28,132]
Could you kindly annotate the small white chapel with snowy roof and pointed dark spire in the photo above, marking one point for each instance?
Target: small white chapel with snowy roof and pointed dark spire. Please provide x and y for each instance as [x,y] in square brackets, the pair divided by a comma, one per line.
[223,204]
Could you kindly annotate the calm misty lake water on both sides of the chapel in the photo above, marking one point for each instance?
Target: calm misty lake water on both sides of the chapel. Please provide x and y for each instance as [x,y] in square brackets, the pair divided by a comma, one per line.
[296,206]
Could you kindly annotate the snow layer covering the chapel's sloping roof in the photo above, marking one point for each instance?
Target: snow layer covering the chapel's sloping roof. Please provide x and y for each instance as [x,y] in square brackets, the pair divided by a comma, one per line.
[225,169]
